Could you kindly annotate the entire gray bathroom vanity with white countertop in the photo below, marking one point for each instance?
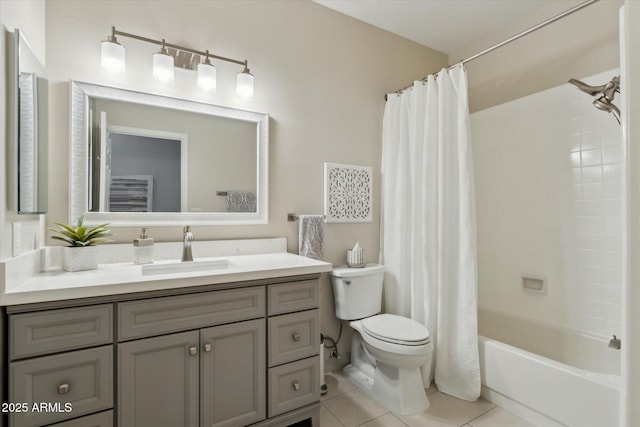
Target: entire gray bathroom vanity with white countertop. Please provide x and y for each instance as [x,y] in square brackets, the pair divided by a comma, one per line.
[234,346]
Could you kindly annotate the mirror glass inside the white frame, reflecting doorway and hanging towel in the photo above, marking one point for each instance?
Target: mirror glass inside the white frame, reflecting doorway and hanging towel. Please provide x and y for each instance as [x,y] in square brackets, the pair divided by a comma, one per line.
[152,159]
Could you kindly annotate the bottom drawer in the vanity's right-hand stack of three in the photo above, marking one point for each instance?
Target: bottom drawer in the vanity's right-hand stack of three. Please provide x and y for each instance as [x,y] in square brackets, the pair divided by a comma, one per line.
[294,385]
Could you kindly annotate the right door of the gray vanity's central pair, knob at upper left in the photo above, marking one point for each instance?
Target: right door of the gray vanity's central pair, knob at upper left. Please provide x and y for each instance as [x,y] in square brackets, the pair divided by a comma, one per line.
[233,374]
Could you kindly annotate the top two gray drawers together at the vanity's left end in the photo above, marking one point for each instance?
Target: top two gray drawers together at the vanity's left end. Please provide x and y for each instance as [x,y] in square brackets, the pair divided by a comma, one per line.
[60,364]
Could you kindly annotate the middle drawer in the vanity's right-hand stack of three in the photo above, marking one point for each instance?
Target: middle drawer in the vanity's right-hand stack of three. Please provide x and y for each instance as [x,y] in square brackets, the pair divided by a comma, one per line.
[293,336]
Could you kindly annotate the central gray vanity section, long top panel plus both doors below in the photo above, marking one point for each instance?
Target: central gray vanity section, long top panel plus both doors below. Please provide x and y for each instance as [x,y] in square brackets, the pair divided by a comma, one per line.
[206,376]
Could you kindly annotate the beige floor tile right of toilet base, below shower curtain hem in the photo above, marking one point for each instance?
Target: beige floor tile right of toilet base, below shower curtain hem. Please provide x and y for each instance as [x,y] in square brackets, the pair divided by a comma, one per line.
[448,411]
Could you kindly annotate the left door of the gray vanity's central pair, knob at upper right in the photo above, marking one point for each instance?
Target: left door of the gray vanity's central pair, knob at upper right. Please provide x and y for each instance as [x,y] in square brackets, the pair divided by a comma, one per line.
[158,381]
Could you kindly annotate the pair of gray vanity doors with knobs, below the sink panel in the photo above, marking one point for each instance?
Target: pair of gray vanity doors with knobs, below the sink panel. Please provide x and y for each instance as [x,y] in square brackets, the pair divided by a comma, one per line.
[211,377]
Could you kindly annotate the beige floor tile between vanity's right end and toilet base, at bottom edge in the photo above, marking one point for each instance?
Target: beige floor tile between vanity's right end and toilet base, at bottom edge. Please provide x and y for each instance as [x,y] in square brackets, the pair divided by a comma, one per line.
[354,408]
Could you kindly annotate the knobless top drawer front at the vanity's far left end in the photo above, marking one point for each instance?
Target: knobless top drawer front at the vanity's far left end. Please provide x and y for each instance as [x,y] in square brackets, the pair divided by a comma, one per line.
[44,332]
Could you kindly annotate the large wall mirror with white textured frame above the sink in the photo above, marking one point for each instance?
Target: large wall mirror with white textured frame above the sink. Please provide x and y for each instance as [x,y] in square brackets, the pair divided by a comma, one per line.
[141,159]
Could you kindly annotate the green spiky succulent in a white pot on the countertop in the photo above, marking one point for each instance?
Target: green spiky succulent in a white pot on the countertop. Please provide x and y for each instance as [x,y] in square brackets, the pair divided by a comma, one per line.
[81,254]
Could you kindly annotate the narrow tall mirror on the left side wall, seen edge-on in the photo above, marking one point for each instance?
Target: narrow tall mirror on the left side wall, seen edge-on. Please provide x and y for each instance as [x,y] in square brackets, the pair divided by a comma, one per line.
[32,128]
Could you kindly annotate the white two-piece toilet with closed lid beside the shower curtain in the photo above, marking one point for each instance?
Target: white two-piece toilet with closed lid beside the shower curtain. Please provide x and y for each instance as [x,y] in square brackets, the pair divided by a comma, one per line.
[387,351]
